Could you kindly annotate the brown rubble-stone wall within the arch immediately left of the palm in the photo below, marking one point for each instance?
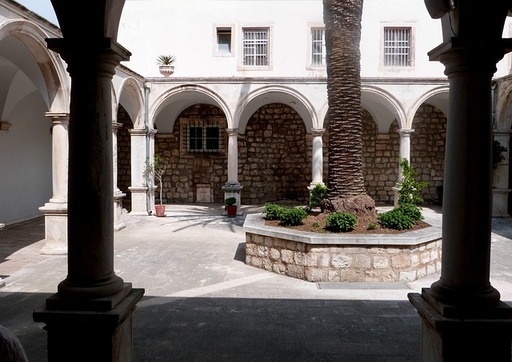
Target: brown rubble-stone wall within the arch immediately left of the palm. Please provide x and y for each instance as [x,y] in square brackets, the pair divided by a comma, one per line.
[275,156]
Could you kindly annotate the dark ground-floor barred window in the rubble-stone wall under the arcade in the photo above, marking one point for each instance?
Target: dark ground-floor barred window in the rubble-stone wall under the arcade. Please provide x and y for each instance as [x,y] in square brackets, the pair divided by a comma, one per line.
[203,137]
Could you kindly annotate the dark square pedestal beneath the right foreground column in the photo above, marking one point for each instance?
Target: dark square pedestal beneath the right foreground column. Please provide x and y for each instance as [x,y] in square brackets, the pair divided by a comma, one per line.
[463,334]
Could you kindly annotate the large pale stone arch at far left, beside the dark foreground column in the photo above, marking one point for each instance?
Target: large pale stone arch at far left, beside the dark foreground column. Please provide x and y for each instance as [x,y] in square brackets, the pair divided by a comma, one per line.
[53,81]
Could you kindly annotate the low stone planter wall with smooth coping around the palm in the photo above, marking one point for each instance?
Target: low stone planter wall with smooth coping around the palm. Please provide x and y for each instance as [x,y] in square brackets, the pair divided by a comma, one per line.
[343,258]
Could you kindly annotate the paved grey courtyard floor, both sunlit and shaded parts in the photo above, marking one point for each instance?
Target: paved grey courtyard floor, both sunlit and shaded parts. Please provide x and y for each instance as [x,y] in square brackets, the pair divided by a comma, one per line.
[202,303]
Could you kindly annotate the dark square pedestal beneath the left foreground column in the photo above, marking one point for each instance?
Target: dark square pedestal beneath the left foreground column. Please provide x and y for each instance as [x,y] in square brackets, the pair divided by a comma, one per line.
[90,335]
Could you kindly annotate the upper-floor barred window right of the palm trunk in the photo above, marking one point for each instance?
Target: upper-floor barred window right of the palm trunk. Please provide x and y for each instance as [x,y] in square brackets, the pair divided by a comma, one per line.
[397,47]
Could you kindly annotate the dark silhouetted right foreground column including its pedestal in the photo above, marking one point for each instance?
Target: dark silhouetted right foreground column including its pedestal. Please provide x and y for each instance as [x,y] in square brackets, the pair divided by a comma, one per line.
[463,317]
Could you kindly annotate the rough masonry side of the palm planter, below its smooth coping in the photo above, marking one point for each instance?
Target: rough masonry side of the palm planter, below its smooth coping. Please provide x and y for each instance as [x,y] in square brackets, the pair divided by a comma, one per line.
[338,263]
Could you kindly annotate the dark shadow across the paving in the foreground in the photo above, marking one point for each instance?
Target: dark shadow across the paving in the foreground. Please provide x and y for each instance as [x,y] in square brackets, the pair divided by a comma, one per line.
[231,329]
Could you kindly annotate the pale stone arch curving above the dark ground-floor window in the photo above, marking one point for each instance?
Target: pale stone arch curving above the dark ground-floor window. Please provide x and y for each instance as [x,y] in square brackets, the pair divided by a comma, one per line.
[168,106]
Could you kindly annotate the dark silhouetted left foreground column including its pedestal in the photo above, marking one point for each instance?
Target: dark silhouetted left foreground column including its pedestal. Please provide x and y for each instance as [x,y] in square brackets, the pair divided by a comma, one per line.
[93,306]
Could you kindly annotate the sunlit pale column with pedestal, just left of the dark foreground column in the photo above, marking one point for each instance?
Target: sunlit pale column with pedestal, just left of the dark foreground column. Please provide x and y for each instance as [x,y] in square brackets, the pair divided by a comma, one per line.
[55,211]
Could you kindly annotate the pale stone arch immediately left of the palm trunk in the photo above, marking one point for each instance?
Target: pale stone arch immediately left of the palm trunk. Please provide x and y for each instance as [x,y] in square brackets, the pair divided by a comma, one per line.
[275,94]
